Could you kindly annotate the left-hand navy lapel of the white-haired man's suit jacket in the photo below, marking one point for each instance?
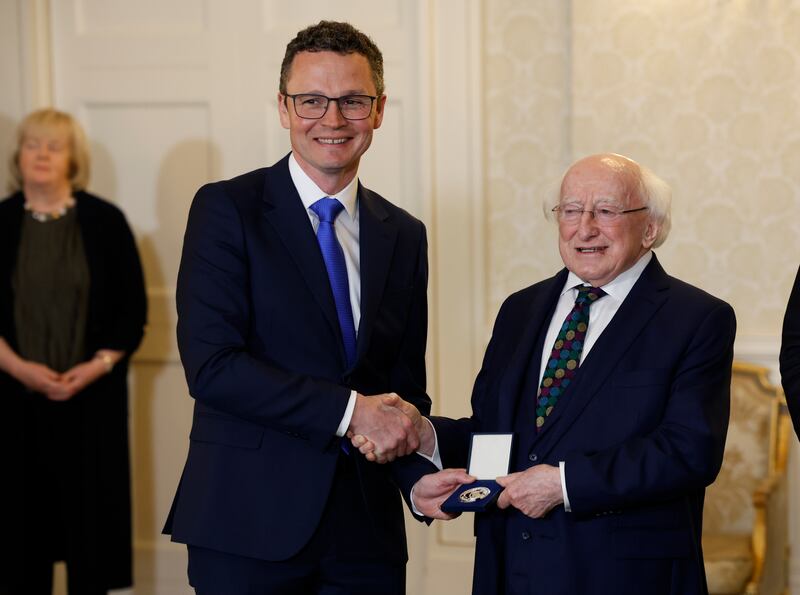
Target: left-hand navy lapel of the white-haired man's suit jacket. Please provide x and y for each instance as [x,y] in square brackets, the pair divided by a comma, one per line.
[525,353]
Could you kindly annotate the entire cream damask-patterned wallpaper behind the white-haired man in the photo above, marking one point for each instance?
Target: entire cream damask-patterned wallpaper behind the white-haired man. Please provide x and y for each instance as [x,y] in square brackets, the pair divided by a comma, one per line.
[705,92]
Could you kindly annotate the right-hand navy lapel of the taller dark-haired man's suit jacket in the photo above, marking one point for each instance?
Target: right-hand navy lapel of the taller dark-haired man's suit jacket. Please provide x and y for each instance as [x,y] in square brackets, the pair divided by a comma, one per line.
[377,236]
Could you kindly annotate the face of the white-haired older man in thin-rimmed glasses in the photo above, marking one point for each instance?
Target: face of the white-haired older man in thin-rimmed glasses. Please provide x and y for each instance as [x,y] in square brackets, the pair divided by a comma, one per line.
[597,253]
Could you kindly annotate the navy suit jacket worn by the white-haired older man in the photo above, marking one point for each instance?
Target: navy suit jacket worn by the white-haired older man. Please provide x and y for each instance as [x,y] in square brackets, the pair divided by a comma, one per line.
[641,431]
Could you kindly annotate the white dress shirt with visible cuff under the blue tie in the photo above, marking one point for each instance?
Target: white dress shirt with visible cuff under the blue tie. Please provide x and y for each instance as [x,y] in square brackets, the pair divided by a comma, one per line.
[347,232]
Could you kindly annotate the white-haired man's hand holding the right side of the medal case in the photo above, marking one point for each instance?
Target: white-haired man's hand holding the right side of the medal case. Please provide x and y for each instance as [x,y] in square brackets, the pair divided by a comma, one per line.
[534,491]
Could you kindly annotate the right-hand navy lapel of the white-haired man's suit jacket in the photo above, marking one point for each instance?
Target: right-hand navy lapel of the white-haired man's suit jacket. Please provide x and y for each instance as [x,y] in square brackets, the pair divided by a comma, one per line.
[645,298]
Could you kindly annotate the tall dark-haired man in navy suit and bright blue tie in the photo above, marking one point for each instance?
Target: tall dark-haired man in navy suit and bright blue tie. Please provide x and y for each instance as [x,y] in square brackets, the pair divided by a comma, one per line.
[281,346]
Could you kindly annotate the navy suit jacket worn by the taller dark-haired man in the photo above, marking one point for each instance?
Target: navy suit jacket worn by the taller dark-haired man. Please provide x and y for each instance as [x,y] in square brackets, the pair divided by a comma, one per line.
[264,360]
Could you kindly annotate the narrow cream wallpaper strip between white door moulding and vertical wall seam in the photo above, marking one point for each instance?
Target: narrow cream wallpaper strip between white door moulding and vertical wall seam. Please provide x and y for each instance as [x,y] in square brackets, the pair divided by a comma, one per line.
[528,112]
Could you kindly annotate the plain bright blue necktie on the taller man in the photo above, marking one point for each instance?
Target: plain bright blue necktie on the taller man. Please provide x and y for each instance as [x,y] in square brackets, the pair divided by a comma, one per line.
[327,209]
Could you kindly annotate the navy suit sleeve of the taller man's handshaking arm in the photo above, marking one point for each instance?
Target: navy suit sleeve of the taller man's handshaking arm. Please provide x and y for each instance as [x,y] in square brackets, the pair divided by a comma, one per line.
[214,317]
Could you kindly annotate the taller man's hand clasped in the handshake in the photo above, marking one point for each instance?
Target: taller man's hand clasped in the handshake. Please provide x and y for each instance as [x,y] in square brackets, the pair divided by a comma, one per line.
[390,431]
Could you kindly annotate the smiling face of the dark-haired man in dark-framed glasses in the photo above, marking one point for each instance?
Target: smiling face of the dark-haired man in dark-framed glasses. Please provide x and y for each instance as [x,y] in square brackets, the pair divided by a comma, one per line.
[329,149]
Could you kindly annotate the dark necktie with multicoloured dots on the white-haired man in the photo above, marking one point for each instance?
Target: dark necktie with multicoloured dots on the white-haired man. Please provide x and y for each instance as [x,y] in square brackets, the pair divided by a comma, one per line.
[566,354]
